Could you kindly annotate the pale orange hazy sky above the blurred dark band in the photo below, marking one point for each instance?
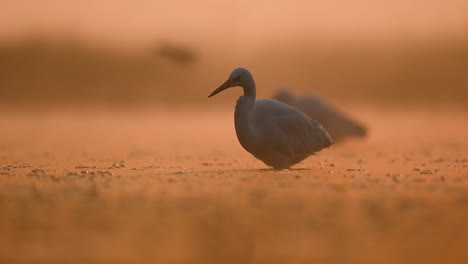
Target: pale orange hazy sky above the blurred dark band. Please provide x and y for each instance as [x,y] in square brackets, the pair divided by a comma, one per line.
[239,23]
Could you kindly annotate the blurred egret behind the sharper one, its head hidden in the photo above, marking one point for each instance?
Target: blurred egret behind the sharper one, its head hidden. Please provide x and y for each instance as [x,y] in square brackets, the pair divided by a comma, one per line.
[337,123]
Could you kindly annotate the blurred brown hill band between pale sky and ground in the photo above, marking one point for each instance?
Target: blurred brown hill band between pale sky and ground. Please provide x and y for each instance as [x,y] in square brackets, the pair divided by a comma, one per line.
[53,72]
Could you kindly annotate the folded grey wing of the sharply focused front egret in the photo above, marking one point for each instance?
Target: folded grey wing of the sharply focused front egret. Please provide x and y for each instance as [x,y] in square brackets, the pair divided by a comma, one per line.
[292,132]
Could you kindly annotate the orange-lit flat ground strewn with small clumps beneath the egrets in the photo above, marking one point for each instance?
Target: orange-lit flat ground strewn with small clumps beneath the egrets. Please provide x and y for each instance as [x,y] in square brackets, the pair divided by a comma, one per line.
[176,187]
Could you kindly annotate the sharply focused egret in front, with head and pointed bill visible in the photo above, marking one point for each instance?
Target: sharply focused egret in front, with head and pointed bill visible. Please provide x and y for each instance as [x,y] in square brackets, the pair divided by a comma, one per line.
[273,132]
